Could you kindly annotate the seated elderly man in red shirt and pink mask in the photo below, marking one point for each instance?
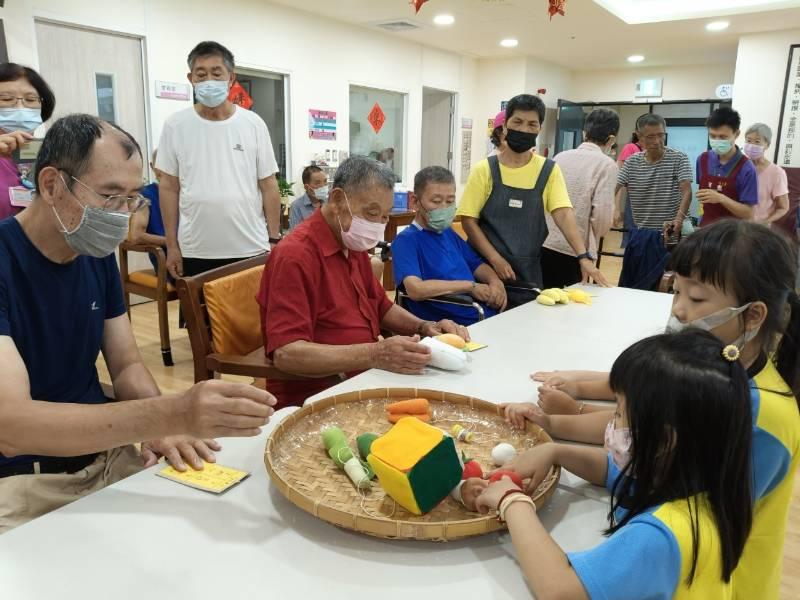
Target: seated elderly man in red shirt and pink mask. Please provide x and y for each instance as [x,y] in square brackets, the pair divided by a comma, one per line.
[322,308]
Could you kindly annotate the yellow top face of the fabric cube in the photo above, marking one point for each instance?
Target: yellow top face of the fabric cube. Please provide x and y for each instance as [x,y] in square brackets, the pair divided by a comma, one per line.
[406,443]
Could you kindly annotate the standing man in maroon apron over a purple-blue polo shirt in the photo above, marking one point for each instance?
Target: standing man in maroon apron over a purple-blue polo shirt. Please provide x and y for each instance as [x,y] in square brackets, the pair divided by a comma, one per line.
[727,180]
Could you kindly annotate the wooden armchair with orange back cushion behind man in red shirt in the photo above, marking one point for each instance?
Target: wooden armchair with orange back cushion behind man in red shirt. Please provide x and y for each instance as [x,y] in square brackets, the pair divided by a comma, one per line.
[224,321]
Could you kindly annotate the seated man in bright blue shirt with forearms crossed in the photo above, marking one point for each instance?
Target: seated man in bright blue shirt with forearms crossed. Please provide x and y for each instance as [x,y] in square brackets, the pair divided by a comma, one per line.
[430,259]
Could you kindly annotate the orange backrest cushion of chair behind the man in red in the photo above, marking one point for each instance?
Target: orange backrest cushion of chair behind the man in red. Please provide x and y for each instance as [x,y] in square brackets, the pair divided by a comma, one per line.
[233,312]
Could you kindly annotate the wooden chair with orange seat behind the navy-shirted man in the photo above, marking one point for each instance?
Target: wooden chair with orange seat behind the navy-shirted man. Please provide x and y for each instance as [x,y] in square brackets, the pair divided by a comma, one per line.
[150,284]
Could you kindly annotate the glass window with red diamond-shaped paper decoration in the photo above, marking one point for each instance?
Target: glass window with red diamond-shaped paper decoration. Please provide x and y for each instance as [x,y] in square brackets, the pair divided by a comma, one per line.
[377,126]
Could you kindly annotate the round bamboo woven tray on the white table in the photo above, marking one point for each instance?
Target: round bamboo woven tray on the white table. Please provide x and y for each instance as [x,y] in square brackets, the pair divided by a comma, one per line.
[298,465]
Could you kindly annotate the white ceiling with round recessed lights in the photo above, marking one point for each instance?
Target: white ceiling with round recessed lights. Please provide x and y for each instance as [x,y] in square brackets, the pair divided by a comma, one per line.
[589,36]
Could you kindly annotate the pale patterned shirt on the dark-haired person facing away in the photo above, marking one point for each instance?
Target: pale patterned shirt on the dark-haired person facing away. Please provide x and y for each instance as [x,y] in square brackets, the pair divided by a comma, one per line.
[591,179]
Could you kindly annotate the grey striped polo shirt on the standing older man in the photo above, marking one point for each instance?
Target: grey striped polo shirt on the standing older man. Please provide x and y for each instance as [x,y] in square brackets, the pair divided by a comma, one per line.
[654,189]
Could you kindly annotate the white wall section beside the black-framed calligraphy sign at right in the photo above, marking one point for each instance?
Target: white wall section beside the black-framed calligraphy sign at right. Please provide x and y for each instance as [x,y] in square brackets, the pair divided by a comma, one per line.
[760,75]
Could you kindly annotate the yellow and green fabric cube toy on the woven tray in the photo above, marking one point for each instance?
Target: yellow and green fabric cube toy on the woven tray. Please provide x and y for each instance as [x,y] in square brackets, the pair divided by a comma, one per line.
[416,464]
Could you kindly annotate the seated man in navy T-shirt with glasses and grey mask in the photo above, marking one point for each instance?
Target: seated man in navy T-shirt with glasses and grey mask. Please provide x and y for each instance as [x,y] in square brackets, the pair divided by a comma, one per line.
[60,305]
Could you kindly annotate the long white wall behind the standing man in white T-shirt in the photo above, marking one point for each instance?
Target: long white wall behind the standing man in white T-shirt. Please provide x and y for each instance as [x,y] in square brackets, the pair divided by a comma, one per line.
[321,57]
